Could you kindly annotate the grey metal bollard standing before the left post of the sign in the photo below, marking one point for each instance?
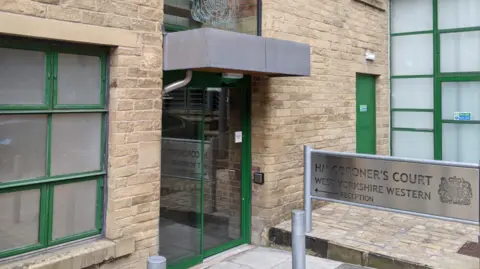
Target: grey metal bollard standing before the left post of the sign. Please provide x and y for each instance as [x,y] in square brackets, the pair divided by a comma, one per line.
[298,239]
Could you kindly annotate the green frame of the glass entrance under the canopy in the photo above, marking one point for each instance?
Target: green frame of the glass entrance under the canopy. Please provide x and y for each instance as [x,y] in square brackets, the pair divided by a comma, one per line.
[204,80]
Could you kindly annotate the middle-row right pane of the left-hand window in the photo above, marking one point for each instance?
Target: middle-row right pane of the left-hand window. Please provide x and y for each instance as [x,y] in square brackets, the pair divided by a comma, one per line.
[76,140]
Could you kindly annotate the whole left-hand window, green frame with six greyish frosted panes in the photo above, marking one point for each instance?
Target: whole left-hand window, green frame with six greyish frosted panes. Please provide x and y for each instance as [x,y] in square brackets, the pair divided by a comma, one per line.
[52,143]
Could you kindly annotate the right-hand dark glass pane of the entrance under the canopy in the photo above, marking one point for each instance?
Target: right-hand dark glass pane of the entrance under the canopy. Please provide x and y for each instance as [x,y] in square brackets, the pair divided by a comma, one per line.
[223,166]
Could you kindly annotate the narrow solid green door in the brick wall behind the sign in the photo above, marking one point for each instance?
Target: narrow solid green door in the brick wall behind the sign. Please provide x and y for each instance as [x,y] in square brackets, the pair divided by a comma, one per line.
[366,112]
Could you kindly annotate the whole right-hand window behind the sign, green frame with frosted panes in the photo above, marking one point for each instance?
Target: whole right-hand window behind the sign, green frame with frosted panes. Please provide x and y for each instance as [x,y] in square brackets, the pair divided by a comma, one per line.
[435,76]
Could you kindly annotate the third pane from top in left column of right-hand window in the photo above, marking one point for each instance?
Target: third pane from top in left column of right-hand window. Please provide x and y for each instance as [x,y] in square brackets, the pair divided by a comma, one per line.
[412,93]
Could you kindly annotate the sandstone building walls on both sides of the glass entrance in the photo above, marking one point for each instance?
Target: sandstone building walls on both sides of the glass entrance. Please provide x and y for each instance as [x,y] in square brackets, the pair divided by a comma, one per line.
[286,112]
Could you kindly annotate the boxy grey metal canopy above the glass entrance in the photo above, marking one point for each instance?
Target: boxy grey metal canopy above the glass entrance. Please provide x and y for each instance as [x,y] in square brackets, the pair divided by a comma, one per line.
[214,50]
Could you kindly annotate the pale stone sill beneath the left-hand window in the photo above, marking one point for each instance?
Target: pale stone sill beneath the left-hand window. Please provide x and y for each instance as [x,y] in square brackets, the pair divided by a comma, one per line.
[77,257]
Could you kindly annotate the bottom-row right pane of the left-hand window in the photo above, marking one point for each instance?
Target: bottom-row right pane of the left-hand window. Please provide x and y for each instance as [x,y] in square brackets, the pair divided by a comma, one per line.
[74,208]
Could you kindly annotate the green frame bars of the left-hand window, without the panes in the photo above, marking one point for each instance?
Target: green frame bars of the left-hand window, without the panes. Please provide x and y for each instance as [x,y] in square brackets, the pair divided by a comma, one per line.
[50,107]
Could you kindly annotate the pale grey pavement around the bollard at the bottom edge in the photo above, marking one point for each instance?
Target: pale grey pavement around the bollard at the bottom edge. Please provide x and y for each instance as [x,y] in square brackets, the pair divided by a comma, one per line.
[254,257]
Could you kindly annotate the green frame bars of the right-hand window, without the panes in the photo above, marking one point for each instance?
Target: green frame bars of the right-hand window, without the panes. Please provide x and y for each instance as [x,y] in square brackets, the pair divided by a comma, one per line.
[438,78]
